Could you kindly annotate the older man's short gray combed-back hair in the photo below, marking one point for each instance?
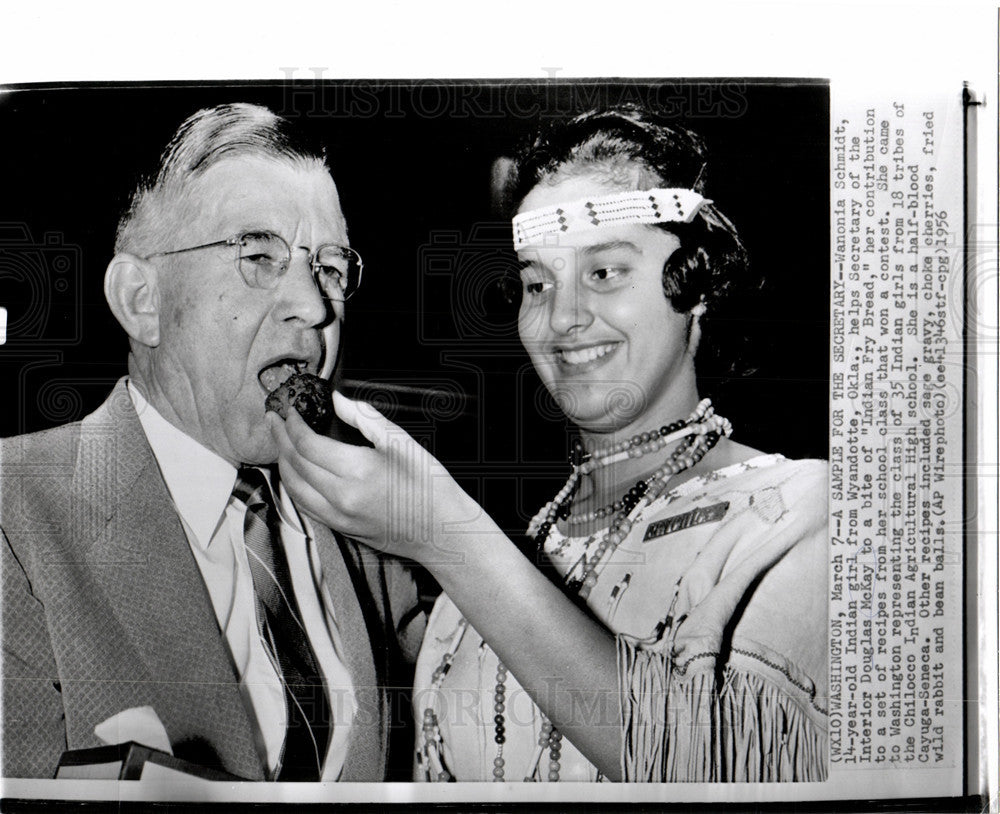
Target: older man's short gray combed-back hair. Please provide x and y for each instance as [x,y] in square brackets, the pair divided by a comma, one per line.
[159,203]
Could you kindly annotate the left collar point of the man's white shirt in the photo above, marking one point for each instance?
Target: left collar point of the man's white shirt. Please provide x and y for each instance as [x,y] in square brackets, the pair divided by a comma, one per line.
[199,481]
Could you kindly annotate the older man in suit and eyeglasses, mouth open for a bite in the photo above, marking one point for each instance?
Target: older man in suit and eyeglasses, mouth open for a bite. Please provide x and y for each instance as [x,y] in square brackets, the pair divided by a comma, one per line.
[158,583]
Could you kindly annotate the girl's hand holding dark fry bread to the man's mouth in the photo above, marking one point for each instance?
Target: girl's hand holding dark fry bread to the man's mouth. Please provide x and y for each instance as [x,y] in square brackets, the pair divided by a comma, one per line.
[396,497]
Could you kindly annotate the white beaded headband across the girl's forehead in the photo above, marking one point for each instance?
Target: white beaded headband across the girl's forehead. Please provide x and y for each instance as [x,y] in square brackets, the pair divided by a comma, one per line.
[642,206]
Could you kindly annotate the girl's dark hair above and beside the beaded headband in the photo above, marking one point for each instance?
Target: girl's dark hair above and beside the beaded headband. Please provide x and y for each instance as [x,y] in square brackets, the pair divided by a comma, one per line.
[711,265]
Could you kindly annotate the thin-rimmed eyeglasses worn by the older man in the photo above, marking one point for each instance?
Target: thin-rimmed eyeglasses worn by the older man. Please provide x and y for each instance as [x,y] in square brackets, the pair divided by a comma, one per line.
[263,257]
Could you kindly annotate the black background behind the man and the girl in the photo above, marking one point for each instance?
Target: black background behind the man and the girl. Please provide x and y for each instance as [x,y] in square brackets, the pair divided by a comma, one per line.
[427,338]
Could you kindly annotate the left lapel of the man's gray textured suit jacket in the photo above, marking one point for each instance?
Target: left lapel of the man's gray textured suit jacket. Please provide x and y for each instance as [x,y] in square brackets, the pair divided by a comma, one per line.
[142,563]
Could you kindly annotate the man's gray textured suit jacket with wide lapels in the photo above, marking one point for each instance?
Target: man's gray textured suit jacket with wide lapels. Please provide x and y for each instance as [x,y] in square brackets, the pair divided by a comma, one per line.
[104,609]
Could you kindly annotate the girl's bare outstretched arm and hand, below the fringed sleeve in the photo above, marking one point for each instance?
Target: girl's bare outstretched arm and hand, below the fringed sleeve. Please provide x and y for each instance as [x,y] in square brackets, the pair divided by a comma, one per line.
[399,499]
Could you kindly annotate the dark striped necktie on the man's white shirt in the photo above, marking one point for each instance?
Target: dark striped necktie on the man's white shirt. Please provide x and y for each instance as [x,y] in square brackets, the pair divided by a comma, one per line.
[279,623]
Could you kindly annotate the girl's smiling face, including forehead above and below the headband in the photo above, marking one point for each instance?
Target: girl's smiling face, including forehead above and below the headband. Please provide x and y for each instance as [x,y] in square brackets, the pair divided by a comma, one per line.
[600,332]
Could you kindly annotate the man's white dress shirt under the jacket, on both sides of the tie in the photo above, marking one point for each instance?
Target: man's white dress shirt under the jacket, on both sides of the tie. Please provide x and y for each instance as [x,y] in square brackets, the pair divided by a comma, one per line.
[201,484]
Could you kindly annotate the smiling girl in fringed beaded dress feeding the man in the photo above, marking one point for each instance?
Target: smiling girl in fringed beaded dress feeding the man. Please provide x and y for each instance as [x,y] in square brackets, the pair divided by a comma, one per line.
[689,640]
